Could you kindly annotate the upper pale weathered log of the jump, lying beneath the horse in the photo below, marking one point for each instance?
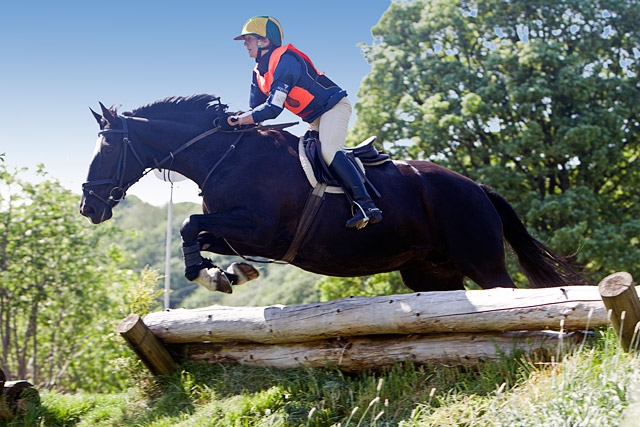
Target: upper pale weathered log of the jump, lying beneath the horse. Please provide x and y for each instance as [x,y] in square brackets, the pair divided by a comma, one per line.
[577,307]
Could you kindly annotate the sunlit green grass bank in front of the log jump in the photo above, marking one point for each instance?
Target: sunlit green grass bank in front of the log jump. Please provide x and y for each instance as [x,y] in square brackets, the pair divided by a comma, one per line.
[592,386]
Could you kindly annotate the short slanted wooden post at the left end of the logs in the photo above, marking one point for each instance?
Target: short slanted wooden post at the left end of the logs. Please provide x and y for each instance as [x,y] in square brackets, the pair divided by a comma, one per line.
[146,345]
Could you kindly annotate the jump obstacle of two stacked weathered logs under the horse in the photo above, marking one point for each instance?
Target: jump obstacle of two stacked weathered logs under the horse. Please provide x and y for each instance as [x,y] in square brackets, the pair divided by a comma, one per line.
[359,333]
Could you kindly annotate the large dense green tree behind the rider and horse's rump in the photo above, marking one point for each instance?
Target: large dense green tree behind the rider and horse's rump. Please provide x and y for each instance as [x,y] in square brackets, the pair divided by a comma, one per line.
[538,99]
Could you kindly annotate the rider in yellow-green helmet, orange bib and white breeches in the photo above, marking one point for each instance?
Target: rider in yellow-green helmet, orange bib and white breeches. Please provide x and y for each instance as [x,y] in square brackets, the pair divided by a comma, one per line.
[284,77]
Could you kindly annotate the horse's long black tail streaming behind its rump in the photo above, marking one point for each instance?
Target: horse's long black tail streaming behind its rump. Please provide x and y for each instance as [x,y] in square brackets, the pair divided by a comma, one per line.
[542,266]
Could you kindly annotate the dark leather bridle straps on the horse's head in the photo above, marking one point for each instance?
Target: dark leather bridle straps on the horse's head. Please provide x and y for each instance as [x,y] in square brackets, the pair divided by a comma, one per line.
[120,188]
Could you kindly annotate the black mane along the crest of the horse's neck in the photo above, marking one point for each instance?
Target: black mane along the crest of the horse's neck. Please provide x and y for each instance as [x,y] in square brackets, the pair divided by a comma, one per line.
[181,104]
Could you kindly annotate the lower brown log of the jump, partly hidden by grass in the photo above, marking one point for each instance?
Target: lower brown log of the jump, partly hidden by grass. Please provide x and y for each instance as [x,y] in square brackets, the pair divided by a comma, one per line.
[375,352]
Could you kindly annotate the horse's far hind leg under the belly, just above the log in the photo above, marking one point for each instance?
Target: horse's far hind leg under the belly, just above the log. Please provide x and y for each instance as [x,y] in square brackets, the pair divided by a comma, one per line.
[423,278]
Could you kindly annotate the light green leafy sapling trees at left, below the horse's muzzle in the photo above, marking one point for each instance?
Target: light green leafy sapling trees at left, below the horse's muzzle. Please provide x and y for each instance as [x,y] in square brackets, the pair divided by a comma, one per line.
[63,288]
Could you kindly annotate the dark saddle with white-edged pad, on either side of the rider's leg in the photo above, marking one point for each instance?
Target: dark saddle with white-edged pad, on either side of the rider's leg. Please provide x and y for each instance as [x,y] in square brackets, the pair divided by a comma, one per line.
[365,154]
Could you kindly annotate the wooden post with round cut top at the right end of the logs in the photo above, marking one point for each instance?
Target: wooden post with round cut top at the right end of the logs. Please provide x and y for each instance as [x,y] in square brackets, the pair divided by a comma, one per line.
[620,297]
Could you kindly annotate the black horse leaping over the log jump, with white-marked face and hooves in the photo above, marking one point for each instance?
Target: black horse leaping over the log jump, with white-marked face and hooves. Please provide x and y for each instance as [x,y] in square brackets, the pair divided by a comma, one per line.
[438,226]
